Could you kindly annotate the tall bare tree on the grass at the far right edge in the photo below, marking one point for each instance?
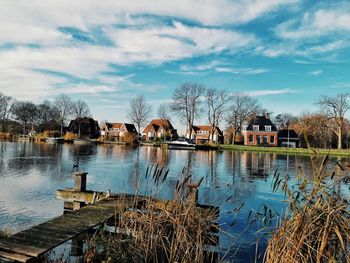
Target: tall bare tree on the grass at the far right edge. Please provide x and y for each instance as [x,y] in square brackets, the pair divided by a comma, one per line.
[335,108]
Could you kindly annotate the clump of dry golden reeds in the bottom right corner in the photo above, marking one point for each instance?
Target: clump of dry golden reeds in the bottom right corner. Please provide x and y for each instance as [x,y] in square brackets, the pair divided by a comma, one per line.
[316,227]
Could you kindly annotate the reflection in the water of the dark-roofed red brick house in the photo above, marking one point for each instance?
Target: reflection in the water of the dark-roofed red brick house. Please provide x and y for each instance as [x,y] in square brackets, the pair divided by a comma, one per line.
[258,164]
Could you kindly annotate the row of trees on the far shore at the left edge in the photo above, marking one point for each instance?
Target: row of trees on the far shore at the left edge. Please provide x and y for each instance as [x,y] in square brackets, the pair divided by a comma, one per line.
[44,116]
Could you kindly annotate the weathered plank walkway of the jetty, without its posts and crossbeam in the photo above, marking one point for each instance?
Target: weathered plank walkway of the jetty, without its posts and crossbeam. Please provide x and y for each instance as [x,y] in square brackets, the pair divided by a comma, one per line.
[27,245]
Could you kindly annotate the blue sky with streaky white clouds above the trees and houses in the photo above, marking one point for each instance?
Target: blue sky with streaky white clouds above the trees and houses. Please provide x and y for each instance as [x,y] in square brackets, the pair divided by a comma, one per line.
[285,53]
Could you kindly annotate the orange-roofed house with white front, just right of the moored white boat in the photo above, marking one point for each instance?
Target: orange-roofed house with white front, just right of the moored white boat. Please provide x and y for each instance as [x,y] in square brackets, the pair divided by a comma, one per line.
[201,134]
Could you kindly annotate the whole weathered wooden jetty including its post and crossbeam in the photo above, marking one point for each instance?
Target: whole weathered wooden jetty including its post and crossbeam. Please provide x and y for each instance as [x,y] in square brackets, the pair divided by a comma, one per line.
[88,210]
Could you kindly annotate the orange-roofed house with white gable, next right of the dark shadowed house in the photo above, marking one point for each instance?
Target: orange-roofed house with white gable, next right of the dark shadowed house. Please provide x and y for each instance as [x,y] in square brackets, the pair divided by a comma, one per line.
[119,131]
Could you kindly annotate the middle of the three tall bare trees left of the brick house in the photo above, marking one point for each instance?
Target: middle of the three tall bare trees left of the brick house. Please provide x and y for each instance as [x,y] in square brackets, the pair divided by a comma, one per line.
[216,101]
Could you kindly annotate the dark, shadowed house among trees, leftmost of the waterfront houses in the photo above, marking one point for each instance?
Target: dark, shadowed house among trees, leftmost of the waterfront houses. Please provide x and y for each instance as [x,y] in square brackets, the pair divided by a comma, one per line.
[84,128]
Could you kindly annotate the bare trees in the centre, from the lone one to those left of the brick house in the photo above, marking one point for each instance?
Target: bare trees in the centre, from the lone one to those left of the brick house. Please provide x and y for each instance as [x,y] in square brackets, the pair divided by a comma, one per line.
[192,100]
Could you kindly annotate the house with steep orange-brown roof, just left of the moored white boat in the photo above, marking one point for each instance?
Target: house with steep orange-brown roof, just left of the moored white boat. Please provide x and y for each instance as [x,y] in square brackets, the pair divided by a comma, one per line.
[160,129]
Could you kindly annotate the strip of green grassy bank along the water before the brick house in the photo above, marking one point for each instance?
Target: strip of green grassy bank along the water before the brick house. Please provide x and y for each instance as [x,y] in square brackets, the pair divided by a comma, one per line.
[284,150]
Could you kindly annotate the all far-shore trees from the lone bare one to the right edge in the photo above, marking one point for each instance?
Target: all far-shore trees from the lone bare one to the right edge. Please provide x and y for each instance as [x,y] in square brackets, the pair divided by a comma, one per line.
[192,100]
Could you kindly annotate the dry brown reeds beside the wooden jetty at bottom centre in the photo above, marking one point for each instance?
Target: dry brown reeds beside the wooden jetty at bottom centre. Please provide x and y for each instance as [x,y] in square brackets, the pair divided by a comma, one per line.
[150,230]
